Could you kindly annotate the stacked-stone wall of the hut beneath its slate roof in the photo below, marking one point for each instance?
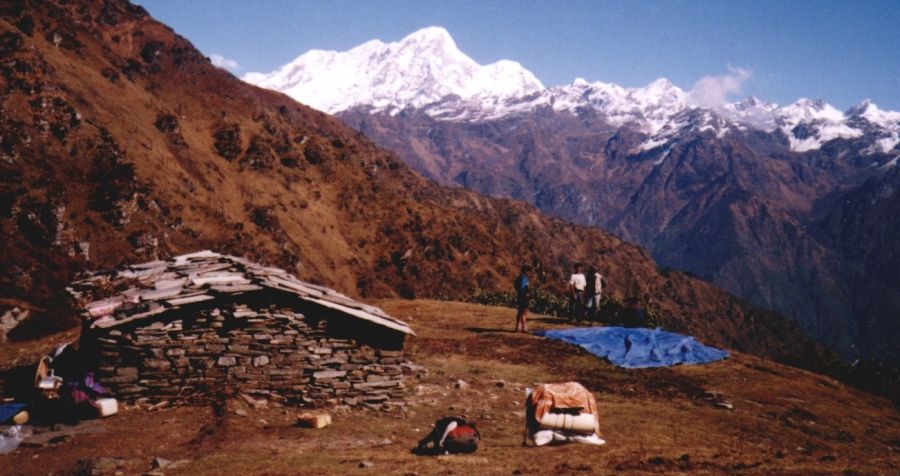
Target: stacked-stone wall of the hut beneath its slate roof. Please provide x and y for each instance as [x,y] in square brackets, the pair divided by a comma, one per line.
[246,350]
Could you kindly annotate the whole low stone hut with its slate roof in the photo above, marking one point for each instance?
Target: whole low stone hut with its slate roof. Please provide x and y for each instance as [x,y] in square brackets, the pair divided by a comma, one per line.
[205,322]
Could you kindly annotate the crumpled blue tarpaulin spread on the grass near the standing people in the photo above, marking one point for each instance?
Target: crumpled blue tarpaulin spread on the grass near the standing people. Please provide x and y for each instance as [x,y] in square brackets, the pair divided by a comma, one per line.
[638,348]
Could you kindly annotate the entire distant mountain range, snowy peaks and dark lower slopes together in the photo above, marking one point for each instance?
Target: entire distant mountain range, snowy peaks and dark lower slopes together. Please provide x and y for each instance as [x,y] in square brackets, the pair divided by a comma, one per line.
[789,207]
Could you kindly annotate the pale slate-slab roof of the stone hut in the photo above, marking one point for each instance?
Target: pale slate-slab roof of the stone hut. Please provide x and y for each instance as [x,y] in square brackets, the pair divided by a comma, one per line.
[157,287]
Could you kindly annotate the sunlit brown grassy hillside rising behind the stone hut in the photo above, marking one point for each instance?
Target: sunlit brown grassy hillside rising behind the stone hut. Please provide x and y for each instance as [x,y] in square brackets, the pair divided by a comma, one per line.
[118,133]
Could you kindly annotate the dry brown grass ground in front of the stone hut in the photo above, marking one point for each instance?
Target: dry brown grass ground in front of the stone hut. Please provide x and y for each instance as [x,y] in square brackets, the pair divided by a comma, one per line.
[784,421]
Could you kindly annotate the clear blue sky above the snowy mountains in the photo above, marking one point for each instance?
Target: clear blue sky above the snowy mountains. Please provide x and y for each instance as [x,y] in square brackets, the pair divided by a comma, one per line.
[839,51]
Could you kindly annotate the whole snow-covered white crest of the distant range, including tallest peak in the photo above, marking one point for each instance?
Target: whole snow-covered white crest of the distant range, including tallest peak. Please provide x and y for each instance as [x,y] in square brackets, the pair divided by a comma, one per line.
[426,71]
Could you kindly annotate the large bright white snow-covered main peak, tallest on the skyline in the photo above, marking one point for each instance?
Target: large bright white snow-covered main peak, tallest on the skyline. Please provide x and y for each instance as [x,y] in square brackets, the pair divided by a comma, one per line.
[421,69]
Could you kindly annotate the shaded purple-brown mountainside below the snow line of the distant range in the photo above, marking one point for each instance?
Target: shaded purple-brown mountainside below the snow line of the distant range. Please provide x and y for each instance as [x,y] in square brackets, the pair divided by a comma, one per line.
[738,209]
